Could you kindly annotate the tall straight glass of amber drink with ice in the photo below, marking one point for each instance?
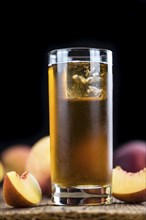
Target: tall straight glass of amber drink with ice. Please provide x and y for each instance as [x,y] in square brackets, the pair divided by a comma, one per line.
[80,106]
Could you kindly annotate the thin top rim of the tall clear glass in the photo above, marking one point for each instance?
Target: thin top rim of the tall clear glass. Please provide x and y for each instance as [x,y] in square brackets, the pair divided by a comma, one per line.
[79,48]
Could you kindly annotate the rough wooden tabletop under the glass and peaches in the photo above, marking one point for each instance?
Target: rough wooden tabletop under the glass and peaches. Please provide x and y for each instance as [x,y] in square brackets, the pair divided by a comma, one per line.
[47,211]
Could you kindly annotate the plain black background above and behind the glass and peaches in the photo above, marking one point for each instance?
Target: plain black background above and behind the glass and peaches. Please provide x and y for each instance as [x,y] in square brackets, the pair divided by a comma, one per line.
[28,33]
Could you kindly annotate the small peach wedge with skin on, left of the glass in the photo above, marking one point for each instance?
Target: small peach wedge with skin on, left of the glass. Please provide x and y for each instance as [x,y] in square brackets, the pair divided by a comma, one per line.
[21,191]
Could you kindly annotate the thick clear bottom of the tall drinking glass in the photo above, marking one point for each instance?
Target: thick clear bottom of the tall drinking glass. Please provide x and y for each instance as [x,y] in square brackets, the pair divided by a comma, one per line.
[82,195]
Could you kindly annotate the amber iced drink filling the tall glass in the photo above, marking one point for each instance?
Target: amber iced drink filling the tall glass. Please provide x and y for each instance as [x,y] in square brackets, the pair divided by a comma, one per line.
[80,148]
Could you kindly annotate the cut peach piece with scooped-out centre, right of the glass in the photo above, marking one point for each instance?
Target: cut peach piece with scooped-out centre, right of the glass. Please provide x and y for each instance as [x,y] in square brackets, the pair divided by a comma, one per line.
[129,187]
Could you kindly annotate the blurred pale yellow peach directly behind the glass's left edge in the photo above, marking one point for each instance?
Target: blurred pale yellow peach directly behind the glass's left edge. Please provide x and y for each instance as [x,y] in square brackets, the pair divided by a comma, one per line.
[38,163]
